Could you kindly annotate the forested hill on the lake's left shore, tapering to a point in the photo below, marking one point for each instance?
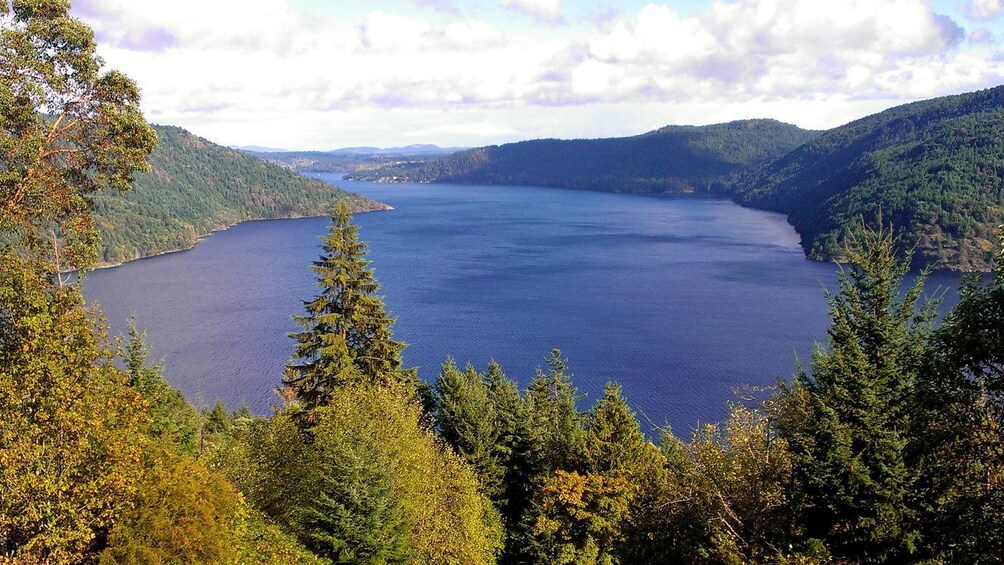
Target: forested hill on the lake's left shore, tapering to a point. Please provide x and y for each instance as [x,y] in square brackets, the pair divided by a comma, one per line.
[197,187]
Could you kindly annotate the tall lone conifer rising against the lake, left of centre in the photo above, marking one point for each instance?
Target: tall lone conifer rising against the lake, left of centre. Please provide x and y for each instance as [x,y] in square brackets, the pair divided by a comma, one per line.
[347,335]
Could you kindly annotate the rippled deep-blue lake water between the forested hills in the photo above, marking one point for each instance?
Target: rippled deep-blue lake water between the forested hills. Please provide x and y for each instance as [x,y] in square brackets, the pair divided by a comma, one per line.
[680,300]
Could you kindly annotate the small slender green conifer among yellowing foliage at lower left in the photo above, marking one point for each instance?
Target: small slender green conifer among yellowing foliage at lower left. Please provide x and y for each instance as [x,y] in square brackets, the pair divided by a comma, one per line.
[173,422]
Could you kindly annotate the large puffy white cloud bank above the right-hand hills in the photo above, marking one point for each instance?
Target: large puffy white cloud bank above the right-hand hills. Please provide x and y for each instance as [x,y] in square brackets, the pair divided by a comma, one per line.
[765,49]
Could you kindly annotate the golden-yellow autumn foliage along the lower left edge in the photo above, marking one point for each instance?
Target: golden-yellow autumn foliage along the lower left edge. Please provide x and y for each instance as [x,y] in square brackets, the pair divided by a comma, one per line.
[72,431]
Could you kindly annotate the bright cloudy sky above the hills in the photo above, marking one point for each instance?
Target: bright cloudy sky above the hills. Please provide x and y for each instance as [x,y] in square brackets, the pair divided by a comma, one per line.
[322,75]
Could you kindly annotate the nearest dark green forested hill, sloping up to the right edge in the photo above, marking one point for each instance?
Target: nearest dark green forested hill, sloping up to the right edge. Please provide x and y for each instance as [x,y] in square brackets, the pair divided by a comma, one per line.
[934,169]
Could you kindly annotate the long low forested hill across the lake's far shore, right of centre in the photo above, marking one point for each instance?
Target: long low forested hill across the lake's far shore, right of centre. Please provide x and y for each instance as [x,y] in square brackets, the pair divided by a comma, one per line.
[673,159]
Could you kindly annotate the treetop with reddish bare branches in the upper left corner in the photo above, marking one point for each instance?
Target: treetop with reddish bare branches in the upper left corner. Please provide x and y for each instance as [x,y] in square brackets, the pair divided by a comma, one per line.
[68,130]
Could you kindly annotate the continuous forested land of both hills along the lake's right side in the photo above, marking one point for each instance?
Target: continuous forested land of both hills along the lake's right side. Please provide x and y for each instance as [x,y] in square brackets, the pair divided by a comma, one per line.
[933,170]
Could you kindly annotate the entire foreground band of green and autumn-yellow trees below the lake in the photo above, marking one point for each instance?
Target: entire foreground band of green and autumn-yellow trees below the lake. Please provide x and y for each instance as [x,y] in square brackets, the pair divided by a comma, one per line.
[889,449]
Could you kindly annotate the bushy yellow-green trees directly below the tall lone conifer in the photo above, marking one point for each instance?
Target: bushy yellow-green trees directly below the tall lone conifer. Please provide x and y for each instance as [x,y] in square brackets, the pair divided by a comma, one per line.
[370,484]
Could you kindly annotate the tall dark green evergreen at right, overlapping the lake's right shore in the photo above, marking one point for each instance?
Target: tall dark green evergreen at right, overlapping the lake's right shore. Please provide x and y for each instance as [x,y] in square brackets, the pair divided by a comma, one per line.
[848,423]
